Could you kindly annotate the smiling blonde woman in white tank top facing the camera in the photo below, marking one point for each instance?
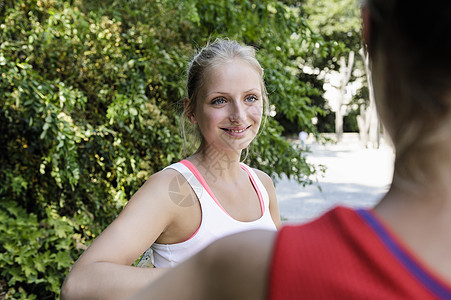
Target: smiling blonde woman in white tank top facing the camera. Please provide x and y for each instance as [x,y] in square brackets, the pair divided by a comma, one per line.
[188,205]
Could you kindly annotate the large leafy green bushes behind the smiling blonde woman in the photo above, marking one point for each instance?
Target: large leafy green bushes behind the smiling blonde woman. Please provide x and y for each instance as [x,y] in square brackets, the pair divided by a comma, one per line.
[89,101]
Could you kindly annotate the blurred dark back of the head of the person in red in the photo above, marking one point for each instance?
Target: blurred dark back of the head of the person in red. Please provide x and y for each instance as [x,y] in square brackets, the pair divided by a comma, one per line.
[410,44]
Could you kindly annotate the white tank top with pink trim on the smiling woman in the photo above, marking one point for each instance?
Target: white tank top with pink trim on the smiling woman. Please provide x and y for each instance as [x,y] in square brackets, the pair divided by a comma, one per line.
[216,222]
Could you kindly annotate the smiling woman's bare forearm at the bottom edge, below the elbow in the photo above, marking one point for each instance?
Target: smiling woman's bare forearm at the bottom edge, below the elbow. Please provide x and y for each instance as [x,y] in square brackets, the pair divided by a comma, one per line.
[104,280]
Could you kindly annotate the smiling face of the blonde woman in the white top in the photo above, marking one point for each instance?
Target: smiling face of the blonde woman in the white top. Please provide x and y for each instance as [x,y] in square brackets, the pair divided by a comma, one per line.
[230,106]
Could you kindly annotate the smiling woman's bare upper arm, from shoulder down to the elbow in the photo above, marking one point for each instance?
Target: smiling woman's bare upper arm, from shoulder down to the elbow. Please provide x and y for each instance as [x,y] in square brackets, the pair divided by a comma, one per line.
[146,216]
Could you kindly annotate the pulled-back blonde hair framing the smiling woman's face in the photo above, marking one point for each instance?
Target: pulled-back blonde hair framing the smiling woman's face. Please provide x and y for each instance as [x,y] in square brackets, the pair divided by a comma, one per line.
[213,54]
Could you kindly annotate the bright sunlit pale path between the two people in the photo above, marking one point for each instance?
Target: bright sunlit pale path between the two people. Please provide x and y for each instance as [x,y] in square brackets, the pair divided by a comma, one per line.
[355,177]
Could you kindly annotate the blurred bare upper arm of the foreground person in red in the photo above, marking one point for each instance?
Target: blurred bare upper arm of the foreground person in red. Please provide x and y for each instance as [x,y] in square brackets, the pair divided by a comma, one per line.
[235,267]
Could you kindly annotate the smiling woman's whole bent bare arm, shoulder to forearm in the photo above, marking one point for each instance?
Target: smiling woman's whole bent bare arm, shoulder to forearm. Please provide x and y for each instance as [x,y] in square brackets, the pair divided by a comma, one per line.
[104,270]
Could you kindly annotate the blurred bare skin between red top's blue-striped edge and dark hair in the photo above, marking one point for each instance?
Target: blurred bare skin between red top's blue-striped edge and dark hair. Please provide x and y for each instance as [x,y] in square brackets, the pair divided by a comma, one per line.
[421,218]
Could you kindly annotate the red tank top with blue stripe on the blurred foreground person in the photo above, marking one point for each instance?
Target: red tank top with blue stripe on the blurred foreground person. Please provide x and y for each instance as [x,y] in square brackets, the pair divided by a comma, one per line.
[348,254]
